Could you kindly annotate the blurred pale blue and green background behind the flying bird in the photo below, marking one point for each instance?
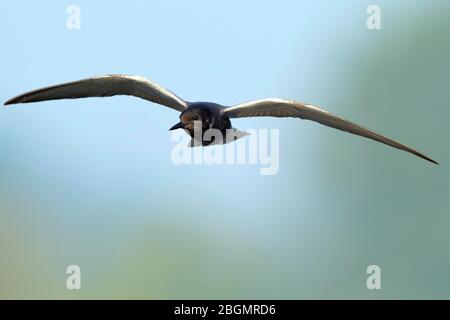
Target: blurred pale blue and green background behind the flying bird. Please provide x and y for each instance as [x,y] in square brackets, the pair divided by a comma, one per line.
[90,182]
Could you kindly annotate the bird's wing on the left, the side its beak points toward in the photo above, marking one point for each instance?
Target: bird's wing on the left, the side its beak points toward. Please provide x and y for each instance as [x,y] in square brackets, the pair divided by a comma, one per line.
[105,86]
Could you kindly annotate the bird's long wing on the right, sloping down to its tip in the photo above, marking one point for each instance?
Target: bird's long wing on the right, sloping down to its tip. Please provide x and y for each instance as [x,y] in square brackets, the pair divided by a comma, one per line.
[274,107]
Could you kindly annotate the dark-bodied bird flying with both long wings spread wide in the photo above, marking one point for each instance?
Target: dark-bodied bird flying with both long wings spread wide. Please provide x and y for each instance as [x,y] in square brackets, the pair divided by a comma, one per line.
[209,115]
